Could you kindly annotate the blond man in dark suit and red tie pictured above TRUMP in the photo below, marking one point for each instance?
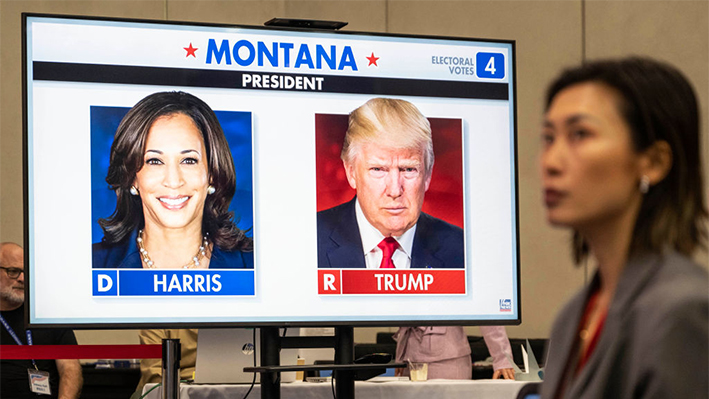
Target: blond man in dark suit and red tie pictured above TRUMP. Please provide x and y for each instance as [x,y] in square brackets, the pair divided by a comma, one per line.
[388,159]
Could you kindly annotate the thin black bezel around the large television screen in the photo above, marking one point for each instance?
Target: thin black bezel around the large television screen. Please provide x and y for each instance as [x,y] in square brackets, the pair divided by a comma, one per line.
[220,324]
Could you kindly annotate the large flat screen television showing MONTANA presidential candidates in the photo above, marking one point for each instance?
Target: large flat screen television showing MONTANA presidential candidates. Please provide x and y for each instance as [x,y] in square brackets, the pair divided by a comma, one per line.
[262,177]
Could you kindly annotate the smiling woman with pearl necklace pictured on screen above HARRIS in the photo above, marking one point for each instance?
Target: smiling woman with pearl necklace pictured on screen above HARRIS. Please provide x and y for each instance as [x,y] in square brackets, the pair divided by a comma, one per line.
[173,175]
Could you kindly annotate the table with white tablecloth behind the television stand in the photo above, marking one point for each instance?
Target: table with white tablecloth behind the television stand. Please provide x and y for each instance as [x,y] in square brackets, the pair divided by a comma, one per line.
[450,389]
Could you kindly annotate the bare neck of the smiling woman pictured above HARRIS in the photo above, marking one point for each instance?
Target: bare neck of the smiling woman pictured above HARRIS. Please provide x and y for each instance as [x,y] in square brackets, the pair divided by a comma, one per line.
[172,248]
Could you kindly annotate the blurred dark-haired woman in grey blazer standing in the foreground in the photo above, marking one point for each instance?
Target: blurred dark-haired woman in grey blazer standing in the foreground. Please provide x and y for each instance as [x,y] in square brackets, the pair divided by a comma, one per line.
[621,168]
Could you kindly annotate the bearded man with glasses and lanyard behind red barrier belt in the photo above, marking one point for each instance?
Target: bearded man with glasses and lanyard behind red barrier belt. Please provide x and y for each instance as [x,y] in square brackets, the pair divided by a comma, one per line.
[29,378]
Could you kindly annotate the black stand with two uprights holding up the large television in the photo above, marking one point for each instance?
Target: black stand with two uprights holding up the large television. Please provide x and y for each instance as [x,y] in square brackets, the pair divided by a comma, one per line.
[344,369]
